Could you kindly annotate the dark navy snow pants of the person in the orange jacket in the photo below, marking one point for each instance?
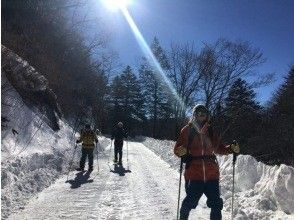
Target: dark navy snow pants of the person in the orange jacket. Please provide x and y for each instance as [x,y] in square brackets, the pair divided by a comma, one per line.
[194,191]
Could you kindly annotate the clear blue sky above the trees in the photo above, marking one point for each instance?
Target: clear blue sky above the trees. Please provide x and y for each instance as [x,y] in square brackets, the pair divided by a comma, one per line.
[267,24]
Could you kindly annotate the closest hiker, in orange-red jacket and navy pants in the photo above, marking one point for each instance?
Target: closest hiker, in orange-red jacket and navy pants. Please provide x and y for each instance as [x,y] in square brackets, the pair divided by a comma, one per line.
[197,145]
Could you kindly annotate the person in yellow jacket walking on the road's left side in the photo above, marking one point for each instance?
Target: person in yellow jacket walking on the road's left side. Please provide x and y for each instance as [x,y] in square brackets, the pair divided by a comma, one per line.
[88,139]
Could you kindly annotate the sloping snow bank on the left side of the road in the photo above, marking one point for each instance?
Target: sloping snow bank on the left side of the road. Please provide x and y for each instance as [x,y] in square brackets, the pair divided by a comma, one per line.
[33,156]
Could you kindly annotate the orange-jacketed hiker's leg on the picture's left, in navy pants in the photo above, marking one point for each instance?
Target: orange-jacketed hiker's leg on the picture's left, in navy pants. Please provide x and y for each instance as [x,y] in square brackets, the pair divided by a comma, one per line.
[194,191]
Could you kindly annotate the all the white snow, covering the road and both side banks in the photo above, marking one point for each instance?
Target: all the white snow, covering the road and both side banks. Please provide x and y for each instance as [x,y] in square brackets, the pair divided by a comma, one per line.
[35,163]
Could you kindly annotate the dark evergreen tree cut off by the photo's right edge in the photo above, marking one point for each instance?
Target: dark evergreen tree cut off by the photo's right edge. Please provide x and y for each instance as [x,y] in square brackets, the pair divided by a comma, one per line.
[278,135]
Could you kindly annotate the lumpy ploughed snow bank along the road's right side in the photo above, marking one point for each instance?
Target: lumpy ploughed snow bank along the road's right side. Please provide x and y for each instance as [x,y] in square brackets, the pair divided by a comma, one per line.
[261,191]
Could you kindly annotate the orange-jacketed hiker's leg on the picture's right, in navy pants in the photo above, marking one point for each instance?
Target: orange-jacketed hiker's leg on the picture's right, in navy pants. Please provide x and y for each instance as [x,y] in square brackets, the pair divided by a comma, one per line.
[214,200]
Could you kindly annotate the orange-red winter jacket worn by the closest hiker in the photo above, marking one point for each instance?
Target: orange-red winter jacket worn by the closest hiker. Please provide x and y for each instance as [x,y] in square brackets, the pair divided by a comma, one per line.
[201,169]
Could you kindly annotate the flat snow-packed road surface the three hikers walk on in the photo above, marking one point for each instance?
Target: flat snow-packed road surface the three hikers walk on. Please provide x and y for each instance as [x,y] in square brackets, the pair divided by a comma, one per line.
[147,190]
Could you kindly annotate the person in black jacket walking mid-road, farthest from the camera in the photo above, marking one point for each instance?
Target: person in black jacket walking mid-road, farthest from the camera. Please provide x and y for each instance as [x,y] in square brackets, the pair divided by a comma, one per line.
[118,135]
